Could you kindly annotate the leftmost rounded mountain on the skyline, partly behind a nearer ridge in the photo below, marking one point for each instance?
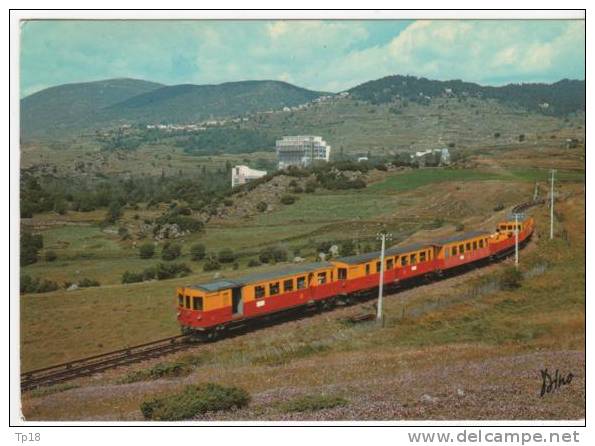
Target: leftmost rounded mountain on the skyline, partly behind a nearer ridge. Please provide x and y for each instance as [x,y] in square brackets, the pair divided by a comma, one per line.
[65,106]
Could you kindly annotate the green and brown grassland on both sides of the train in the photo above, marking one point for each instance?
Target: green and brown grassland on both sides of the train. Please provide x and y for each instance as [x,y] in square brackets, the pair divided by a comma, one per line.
[490,341]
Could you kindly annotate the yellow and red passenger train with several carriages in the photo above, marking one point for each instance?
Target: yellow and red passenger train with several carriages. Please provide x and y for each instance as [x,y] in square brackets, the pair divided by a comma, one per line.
[208,309]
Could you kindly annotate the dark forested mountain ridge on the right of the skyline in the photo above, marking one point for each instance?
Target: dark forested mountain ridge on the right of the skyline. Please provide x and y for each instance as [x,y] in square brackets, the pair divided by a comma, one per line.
[558,99]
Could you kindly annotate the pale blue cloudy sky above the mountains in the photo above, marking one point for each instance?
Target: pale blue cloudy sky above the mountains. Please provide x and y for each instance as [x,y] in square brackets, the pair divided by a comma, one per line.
[320,55]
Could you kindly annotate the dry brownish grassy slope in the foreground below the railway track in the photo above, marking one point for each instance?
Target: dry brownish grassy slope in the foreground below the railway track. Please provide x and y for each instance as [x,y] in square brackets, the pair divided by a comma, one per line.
[490,343]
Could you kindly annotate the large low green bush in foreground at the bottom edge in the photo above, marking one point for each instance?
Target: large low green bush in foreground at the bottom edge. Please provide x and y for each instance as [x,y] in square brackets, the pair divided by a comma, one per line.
[194,400]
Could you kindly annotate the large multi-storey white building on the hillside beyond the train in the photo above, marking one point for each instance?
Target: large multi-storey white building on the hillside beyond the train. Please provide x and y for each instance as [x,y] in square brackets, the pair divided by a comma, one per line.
[301,150]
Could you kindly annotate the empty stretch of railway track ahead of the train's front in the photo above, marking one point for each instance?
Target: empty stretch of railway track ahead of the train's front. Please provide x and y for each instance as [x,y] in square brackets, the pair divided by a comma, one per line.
[93,364]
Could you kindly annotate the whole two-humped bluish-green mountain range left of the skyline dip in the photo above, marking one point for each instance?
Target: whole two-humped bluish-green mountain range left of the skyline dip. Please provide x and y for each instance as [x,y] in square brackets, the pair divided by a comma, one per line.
[117,101]
